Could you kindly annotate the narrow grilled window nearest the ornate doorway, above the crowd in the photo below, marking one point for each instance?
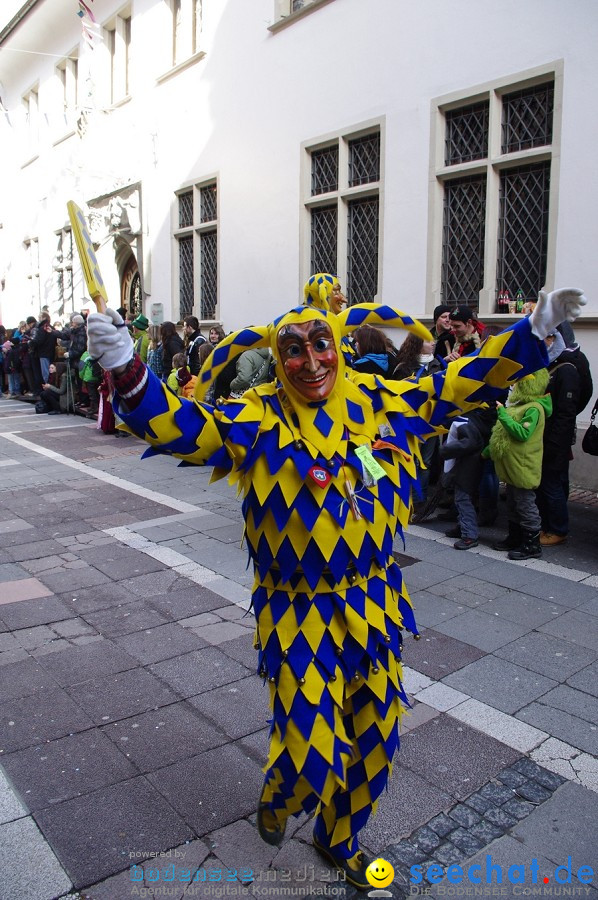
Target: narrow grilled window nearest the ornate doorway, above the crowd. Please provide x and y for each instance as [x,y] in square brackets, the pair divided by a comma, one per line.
[197,237]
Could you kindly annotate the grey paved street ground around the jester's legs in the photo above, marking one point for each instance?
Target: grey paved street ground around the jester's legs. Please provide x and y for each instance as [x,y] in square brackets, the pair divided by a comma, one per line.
[133,723]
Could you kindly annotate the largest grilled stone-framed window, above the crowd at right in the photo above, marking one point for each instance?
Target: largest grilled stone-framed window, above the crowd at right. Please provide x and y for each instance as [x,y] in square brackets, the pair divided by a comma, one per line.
[494,223]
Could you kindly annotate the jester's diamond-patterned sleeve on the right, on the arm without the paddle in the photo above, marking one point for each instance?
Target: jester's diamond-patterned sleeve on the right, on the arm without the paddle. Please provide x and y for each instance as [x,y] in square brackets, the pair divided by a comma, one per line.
[472,380]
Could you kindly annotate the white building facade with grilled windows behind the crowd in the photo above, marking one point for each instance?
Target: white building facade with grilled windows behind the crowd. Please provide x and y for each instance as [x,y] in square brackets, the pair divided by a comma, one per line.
[224,150]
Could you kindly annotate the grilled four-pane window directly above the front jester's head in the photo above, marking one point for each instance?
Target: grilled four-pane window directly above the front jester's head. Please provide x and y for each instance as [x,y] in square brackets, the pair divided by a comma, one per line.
[344,225]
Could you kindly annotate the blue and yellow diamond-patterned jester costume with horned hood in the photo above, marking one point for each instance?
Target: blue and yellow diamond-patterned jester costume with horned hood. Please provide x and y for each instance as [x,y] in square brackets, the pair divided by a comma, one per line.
[329,599]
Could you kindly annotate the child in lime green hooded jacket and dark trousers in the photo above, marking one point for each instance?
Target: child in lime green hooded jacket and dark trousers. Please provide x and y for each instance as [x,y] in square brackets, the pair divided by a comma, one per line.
[516,449]
